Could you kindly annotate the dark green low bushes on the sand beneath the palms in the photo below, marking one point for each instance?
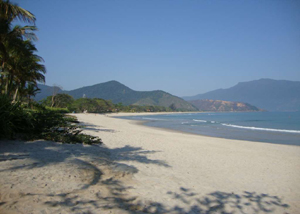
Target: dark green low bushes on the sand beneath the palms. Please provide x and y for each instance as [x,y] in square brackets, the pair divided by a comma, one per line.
[40,123]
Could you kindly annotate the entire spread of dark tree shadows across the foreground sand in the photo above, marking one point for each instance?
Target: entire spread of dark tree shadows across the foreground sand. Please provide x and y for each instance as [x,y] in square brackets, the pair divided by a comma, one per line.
[113,194]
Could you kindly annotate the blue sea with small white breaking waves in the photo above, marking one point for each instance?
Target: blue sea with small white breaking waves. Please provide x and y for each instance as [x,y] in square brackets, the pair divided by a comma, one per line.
[270,127]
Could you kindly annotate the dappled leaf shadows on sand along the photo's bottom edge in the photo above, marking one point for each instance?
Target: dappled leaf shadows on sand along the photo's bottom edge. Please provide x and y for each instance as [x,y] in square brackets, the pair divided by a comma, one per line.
[215,202]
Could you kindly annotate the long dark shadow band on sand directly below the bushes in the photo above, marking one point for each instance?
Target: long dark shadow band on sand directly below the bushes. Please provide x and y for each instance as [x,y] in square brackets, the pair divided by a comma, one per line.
[43,153]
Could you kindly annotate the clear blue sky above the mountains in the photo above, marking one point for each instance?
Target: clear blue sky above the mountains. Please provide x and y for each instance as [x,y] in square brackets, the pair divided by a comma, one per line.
[183,47]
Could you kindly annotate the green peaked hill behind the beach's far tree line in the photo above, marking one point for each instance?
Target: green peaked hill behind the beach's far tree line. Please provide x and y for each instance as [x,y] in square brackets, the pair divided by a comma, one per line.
[119,93]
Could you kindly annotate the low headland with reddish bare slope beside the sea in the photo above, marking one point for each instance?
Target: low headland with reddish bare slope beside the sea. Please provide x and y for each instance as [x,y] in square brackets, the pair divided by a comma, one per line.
[219,105]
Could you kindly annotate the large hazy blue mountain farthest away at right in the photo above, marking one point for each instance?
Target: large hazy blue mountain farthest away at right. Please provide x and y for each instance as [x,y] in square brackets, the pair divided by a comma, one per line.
[268,94]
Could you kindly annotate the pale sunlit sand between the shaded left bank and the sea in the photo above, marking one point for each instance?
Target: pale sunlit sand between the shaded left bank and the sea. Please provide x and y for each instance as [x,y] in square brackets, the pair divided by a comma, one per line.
[173,162]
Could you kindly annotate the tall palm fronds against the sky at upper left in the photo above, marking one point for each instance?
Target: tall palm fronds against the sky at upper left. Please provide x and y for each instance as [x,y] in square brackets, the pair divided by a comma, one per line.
[20,67]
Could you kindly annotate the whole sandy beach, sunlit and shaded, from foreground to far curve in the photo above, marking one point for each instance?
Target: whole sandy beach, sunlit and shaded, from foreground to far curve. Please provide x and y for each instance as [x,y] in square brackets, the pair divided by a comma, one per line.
[141,169]
